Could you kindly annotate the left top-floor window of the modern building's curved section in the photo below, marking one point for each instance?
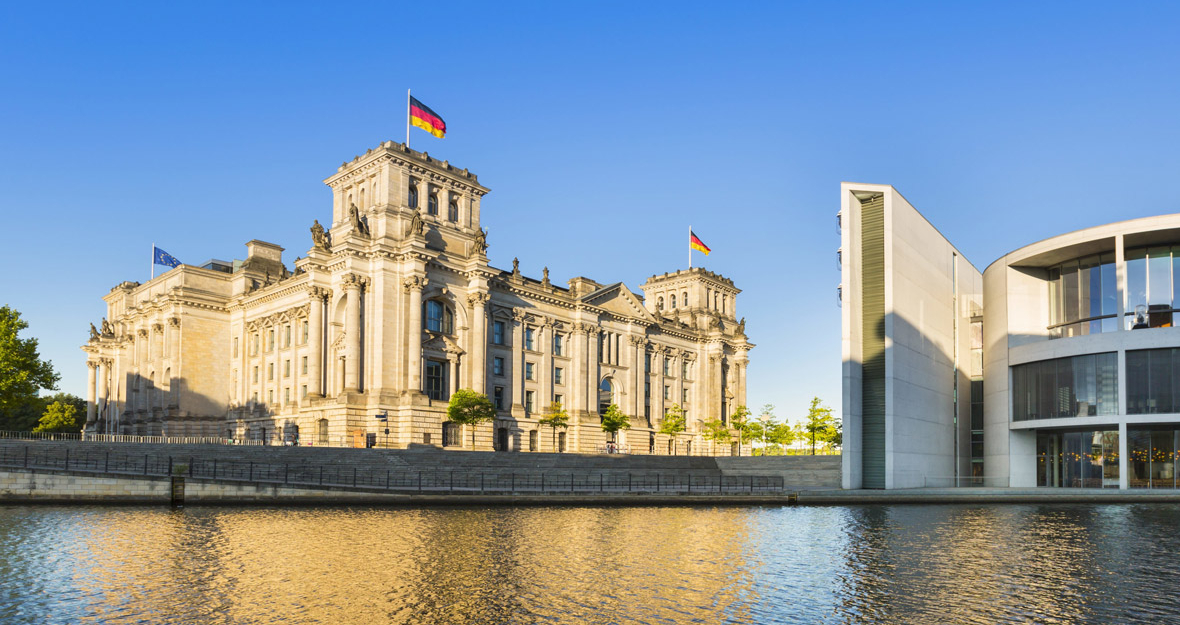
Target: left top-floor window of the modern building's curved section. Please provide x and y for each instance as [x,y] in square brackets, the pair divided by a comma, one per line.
[1084,298]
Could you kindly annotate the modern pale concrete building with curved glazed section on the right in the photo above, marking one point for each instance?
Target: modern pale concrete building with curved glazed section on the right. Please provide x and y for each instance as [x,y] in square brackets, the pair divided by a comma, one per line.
[1057,367]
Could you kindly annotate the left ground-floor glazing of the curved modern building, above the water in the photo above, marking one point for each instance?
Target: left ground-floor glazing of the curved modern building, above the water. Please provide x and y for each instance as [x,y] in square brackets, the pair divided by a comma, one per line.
[1085,459]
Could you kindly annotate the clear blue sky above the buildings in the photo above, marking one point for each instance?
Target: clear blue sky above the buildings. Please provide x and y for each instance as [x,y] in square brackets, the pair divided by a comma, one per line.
[604,130]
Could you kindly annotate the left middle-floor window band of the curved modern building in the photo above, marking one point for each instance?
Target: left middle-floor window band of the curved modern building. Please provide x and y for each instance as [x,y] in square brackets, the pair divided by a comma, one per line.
[1079,386]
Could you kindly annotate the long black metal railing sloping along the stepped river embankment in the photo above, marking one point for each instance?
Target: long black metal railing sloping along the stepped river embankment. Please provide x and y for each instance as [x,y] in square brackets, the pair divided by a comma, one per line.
[460,482]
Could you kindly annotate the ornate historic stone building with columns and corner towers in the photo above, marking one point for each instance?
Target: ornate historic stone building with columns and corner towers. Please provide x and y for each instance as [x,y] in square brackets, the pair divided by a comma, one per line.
[394,310]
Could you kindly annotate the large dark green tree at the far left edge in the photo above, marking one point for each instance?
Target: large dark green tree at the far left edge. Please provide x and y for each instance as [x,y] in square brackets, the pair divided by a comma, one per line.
[23,373]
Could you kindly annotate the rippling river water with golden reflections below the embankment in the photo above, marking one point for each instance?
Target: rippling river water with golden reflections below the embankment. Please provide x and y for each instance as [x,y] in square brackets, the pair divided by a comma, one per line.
[670,565]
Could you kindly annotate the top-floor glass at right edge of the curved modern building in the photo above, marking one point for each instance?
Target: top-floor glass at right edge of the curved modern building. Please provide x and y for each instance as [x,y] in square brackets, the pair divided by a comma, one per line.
[1152,275]
